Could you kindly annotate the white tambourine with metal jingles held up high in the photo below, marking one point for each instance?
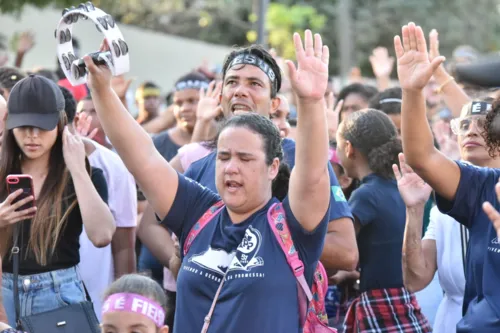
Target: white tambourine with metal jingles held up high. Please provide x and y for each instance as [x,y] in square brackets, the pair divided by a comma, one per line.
[117,59]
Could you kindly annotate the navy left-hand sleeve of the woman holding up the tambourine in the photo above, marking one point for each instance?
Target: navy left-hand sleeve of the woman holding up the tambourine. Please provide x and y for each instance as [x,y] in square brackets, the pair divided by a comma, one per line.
[191,202]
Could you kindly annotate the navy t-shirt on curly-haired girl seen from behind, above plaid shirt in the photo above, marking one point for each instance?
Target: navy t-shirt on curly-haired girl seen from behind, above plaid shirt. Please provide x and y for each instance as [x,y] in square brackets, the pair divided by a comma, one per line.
[380,210]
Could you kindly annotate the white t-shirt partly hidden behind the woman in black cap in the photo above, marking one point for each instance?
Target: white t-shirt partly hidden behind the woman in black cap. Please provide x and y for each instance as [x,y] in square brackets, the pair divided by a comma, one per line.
[96,264]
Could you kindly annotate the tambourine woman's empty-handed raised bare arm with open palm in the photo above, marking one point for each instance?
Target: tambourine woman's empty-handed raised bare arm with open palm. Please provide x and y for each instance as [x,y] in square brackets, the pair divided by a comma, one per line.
[309,192]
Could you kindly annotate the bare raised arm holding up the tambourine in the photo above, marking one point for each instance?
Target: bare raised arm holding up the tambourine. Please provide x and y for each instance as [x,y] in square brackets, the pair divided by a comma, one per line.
[155,177]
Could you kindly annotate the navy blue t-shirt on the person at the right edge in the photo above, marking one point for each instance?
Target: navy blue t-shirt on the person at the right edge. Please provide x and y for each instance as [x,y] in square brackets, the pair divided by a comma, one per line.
[482,292]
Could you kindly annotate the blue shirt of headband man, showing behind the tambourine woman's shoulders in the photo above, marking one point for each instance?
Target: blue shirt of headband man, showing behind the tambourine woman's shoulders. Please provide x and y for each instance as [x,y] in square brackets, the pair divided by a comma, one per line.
[203,172]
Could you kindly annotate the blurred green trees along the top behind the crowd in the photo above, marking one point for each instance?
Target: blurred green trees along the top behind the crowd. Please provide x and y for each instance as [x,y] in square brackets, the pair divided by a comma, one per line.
[374,22]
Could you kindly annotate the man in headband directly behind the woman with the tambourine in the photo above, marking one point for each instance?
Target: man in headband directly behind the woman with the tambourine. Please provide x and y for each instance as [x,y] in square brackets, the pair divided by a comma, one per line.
[251,82]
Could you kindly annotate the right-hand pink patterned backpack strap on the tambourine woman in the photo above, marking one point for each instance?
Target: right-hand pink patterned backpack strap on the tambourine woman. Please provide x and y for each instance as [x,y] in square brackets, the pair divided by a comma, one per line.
[277,221]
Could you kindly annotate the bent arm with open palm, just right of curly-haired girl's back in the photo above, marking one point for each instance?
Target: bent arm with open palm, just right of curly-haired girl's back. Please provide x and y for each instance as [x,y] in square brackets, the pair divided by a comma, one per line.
[419,256]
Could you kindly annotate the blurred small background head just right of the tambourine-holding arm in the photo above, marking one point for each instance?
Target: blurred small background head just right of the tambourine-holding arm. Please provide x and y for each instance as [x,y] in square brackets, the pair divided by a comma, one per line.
[147,98]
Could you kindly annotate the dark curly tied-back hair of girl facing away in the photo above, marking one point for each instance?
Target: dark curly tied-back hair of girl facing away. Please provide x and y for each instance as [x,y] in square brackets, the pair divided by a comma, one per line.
[374,135]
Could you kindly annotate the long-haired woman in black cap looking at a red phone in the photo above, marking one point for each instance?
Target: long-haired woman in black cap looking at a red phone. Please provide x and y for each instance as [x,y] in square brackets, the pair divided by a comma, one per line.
[68,196]
